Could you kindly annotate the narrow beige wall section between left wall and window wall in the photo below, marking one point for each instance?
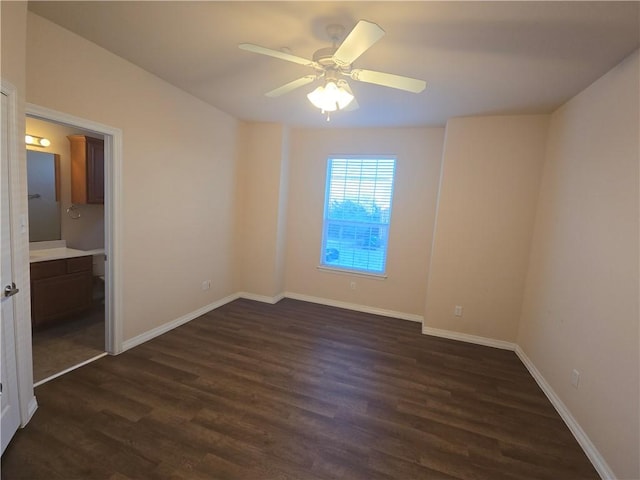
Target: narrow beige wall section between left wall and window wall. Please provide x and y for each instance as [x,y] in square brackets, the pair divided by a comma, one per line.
[262,175]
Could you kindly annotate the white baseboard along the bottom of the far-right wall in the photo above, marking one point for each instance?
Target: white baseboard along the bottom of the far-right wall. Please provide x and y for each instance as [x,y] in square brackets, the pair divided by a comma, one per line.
[598,461]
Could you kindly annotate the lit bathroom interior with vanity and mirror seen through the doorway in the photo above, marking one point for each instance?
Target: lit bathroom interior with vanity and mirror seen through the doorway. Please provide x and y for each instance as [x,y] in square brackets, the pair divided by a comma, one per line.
[66,246]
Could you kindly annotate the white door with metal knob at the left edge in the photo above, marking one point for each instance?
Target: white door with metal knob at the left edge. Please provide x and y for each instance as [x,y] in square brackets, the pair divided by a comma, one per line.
[8,372]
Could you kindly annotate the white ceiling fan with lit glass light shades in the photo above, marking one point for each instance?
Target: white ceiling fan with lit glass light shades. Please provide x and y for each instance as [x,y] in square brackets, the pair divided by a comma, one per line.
[333,63]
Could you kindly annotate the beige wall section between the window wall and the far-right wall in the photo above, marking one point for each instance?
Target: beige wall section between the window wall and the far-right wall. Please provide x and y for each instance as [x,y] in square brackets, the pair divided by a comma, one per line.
[488,192]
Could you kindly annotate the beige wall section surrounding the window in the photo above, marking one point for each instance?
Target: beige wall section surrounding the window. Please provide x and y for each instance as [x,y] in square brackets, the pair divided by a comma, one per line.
[419,152]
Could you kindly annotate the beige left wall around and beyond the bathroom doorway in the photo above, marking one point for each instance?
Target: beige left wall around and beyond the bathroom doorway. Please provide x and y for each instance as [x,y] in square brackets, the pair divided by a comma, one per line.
[178,172]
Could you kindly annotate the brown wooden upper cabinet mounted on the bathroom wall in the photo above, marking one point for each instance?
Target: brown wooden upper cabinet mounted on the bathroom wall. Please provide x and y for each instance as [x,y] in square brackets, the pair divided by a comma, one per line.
[87,169]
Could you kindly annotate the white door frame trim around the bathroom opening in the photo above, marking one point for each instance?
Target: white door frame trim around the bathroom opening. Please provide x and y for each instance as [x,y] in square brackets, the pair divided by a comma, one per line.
[112,217]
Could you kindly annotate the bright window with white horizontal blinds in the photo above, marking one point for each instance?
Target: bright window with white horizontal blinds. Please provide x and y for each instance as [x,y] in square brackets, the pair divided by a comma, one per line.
[357,211]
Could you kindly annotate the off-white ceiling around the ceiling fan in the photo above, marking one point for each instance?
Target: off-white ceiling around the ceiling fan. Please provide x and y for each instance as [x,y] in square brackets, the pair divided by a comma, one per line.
[476,57]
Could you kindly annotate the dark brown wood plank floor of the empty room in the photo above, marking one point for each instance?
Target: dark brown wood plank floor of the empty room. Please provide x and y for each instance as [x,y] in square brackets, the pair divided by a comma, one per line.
[296,391]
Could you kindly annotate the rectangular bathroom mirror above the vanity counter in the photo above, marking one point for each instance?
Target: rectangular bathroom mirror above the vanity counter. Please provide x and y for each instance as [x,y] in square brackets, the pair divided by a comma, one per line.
[43,185]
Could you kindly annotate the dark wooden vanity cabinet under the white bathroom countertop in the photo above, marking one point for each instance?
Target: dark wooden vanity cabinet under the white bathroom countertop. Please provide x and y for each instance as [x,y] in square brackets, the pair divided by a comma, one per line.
[60,288]
